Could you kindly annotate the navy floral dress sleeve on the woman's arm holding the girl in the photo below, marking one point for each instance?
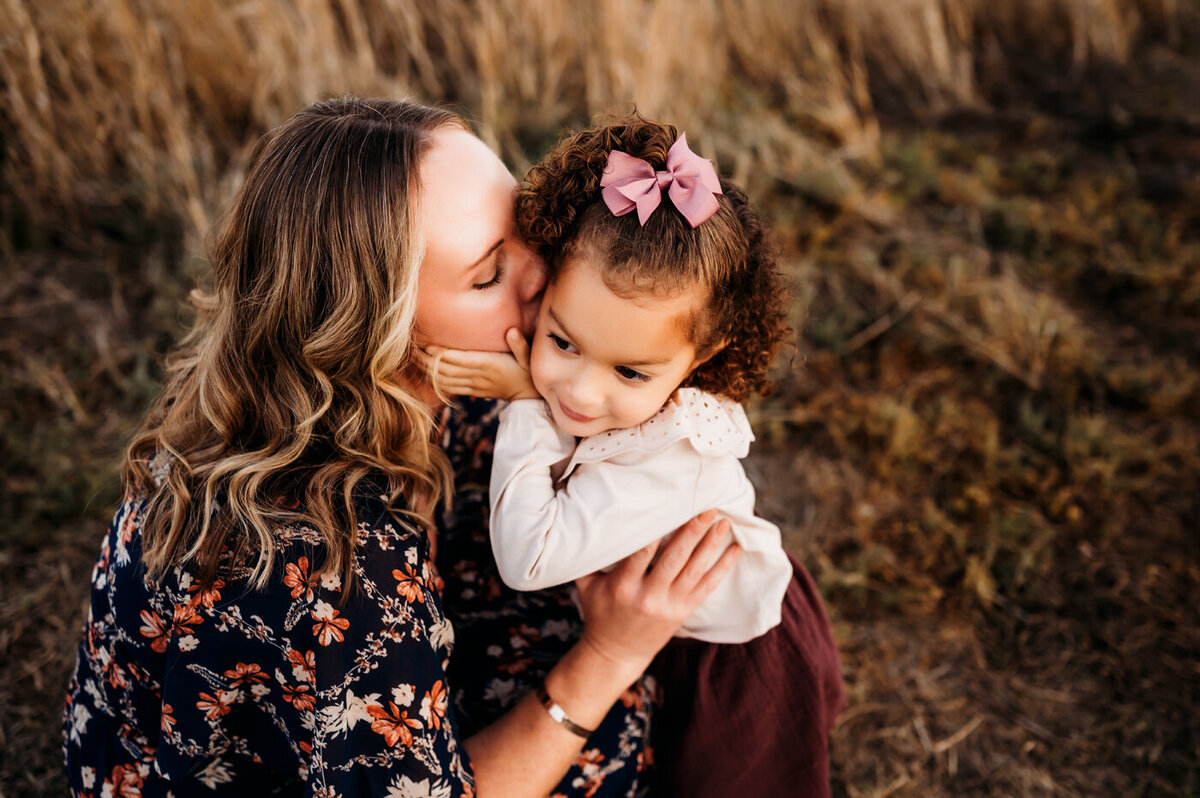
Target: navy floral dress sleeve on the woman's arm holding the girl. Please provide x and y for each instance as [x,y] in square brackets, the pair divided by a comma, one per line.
[382,719]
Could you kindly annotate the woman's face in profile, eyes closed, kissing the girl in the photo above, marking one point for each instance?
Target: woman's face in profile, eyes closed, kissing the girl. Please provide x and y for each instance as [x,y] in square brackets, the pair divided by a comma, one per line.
[478,278]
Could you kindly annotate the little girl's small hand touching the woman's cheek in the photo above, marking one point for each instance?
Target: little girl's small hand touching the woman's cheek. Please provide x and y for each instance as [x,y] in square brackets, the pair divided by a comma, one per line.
[495,375]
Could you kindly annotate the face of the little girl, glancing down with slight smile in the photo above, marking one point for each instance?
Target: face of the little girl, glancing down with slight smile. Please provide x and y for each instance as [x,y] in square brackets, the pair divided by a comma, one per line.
[607,363]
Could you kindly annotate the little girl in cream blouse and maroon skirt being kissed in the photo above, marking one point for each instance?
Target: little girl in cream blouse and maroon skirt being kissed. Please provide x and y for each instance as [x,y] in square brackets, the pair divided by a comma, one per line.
[663,311]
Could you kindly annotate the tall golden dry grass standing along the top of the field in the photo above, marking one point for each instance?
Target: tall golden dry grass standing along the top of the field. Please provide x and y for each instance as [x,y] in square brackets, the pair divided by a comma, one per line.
[145,107]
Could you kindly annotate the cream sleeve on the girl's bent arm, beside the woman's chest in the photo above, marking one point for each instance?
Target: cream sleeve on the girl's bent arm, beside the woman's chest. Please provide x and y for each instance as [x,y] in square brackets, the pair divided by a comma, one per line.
[605,512]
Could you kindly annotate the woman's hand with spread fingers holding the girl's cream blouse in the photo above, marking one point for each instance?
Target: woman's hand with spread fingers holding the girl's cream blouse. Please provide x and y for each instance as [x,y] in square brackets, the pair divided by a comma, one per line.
[633,611]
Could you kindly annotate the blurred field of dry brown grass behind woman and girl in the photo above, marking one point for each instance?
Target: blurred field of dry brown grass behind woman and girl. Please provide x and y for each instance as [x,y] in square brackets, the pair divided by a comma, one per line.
[987,447]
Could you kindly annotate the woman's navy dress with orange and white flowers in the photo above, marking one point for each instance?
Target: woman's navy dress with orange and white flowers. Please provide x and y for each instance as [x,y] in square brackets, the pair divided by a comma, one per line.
[292,692]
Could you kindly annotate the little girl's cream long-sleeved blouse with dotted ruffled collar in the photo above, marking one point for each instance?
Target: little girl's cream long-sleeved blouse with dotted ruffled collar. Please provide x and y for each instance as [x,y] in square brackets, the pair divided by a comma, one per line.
[563,509]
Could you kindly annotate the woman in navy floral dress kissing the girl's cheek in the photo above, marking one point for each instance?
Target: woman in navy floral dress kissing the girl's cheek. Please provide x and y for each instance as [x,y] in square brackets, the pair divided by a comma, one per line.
[266,613]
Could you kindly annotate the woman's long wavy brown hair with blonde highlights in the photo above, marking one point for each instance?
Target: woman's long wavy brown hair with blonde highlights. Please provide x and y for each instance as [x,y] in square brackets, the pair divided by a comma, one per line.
[284,403]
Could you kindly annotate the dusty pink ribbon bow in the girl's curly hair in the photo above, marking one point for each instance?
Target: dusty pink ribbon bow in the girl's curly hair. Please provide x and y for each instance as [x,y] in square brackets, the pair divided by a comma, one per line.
[691,182]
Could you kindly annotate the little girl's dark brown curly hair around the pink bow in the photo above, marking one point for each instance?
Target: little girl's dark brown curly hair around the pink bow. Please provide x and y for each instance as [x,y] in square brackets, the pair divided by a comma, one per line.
[743,322]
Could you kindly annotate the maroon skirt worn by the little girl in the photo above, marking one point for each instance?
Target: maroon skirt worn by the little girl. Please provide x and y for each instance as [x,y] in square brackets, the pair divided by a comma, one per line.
[752,721]
